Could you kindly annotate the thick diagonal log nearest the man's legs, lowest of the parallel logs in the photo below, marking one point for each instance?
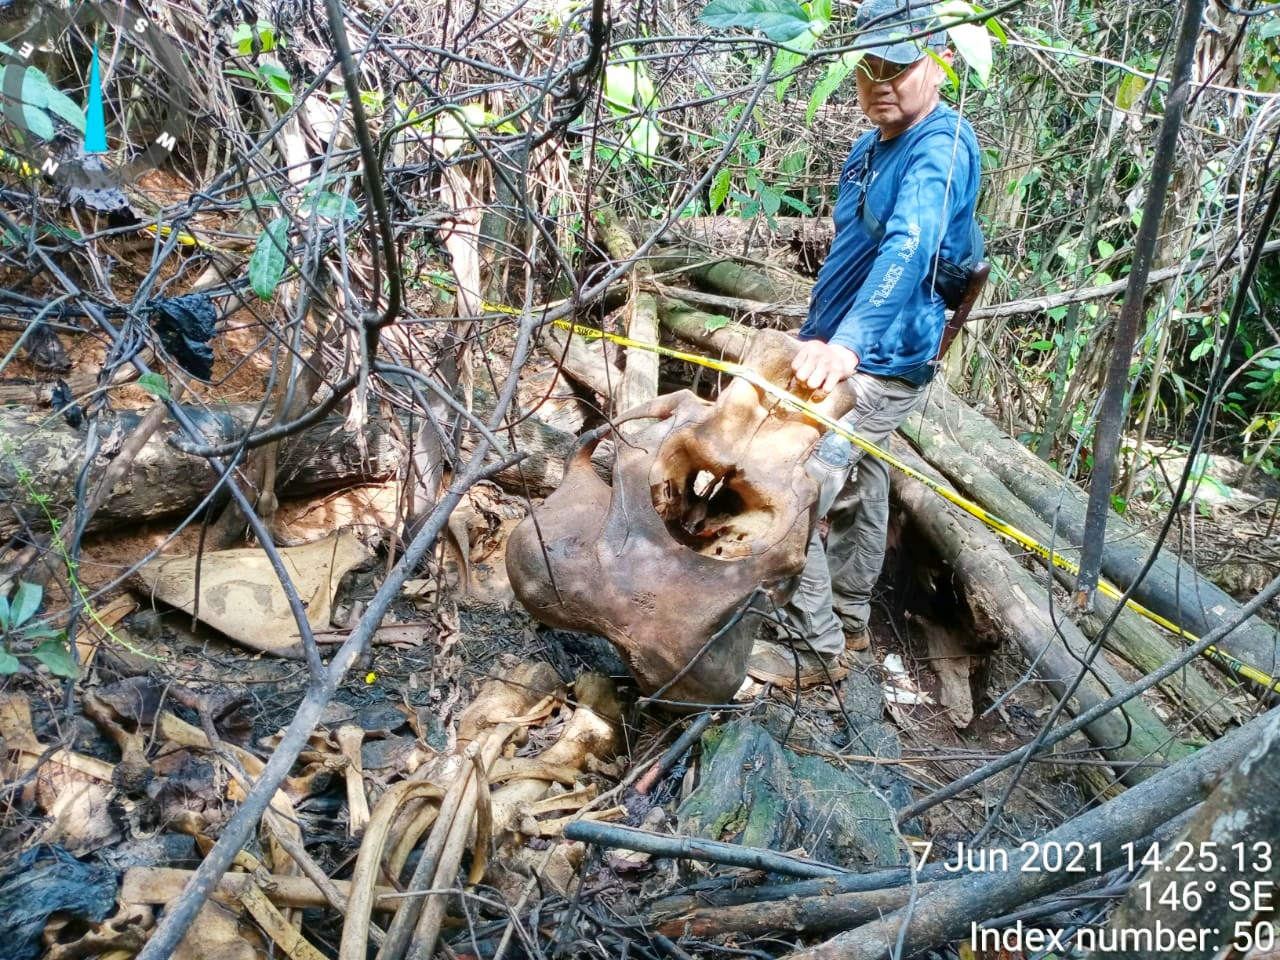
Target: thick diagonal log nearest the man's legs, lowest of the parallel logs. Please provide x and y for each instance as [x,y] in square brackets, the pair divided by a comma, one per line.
[1005,596]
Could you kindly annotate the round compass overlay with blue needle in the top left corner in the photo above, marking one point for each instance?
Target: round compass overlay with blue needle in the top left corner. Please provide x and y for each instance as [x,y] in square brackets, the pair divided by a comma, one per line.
[135,71]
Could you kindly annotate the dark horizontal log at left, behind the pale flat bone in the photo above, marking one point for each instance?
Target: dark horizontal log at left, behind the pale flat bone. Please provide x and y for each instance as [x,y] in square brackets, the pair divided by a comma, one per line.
[43,459]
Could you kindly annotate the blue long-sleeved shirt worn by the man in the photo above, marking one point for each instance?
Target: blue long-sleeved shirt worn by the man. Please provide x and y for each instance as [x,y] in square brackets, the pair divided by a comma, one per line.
[877,299]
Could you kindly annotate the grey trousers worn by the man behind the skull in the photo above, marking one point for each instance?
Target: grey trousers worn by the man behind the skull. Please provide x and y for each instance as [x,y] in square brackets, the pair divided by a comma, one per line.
[838,583]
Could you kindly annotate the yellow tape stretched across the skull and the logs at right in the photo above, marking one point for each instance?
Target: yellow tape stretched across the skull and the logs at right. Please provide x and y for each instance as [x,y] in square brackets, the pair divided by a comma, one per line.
[1000,527]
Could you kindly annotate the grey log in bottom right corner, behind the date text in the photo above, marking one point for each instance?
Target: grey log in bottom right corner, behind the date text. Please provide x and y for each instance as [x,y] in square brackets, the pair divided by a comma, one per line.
[947,913]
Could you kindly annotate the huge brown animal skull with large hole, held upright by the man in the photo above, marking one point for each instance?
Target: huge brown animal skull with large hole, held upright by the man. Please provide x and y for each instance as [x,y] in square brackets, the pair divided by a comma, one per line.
[710,502]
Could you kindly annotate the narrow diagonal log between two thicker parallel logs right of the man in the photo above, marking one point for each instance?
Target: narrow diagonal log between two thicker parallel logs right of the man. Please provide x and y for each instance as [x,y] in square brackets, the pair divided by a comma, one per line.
[1133,638]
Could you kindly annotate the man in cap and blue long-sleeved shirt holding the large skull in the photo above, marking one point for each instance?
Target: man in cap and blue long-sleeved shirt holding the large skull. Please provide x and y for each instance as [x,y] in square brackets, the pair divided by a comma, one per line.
[907,203]
